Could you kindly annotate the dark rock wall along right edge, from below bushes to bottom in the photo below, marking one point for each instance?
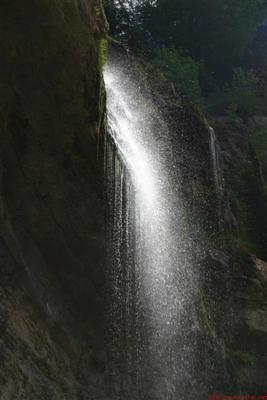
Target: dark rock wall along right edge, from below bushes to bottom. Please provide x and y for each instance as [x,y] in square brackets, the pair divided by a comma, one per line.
[244,239]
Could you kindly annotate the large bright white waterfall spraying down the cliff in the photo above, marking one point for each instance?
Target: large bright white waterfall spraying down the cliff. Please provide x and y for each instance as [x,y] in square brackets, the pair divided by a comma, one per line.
[150,259]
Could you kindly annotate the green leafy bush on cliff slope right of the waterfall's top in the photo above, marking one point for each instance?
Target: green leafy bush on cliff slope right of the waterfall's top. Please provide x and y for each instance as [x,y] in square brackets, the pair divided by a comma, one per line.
[181,69]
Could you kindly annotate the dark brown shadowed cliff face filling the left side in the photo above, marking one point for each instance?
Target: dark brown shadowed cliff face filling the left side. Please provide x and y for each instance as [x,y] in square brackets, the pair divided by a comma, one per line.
[51,208]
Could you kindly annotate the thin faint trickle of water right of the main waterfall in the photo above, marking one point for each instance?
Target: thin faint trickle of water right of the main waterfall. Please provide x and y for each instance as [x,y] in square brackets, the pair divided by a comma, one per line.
[217,167]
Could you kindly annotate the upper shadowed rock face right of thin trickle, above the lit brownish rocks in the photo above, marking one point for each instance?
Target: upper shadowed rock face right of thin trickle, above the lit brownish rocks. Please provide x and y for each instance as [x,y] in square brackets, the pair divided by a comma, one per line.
[245,207]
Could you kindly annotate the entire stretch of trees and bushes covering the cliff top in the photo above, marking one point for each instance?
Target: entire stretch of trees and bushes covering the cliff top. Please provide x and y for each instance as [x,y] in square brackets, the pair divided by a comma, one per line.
[212,50]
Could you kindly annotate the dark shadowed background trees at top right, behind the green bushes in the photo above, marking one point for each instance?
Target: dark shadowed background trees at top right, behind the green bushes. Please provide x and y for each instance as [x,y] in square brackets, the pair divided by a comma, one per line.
[217,33]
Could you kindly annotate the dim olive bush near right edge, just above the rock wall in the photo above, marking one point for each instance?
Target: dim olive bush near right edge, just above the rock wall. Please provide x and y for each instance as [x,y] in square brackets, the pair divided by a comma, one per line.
[243,95]
